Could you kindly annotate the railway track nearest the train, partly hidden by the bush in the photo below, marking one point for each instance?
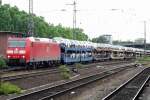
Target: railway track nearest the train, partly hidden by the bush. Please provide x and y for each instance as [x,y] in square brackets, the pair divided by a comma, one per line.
[49,71]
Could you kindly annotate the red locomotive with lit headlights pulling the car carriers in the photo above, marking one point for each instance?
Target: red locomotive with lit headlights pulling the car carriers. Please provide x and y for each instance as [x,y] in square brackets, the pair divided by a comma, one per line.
[33,51]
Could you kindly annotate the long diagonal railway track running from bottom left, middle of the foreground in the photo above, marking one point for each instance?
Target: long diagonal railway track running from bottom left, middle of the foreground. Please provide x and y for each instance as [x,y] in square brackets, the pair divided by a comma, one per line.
[51,93]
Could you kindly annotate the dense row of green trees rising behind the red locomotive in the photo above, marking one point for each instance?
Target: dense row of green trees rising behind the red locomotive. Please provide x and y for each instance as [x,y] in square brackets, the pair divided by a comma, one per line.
[12,19]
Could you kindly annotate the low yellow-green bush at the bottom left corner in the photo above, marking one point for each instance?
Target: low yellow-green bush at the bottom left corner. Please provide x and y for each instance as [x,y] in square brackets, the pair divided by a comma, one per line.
[8,88]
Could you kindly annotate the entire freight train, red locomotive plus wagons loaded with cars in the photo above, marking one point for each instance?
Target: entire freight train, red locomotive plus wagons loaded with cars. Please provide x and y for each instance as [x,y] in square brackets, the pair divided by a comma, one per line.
[33,51]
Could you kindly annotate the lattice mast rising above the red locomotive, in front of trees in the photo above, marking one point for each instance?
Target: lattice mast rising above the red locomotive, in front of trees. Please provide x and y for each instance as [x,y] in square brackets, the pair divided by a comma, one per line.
[31,23]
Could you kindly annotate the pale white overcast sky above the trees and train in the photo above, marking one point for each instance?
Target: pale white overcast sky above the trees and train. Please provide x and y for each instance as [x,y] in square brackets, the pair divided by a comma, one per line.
[96,16]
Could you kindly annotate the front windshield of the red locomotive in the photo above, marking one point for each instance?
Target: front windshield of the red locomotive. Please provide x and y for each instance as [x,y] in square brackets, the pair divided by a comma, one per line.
[16,43]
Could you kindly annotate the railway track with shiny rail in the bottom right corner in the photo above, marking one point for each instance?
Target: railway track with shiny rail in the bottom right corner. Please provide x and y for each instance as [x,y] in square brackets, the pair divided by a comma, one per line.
[131,89]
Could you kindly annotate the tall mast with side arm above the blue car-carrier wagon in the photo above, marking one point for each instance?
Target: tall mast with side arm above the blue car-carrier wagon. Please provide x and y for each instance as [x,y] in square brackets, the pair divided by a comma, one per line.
[74,18]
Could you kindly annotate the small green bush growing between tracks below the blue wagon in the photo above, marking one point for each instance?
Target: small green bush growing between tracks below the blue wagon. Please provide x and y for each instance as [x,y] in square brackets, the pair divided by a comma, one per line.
[64,72]
